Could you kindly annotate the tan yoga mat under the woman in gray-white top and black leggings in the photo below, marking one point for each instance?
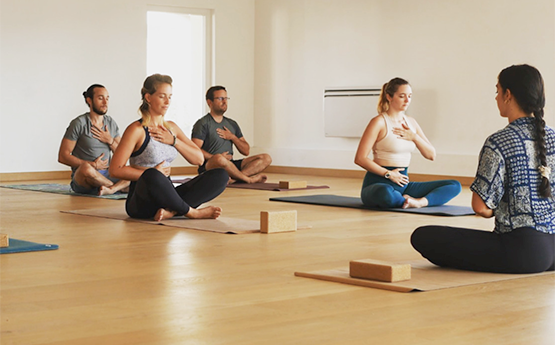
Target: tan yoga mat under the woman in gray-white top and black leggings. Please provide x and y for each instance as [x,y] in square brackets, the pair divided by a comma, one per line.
[222,225]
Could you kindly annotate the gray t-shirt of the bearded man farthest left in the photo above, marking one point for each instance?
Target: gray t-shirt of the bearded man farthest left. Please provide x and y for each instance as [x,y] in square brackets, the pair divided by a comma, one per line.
[87,147]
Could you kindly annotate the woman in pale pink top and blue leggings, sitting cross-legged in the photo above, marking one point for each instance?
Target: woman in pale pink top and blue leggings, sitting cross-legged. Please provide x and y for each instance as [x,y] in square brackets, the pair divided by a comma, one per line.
[392,136]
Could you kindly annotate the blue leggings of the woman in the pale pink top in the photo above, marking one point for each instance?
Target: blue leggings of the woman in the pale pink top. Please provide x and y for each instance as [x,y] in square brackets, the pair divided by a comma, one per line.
[377,191]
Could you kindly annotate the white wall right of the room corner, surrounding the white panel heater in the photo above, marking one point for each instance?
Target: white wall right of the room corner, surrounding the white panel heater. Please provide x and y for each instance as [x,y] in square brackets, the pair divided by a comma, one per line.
[451,51]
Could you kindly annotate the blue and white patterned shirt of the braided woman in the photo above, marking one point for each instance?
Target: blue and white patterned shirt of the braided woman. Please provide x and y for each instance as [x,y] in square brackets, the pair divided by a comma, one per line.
[508,178]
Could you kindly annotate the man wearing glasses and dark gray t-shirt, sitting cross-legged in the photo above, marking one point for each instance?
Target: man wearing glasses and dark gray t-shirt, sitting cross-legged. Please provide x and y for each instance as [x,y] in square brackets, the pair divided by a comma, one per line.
[216,135]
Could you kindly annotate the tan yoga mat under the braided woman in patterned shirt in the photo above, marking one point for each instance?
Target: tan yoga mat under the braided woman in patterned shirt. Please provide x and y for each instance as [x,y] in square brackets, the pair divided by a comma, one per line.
[425,276]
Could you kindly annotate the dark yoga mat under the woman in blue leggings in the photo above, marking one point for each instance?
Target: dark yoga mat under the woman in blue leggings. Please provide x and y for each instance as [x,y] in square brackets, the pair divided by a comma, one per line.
[353,202]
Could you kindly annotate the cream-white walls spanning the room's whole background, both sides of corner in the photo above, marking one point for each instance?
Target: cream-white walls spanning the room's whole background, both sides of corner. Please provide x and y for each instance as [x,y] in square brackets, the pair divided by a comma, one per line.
[276,57]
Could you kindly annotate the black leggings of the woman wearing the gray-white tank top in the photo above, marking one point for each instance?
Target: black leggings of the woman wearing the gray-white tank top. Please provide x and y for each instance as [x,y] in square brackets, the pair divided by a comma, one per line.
[153,191]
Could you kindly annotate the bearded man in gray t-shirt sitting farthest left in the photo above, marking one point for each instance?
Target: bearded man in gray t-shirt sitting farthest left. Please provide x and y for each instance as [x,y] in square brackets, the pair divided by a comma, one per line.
[87,146]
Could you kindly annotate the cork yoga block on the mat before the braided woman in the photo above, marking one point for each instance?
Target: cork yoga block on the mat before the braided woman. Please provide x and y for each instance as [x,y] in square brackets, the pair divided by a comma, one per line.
[379,270]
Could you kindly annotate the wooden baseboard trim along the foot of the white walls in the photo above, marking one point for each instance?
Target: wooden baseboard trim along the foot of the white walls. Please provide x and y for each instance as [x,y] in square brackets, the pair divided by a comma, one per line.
[192,170]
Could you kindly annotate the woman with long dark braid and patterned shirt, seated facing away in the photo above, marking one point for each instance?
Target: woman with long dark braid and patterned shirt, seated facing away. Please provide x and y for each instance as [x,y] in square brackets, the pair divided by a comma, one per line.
[512,184]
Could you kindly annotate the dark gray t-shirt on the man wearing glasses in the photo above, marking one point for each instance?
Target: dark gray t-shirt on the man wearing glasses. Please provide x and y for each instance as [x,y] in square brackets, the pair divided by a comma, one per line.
[205,129]
